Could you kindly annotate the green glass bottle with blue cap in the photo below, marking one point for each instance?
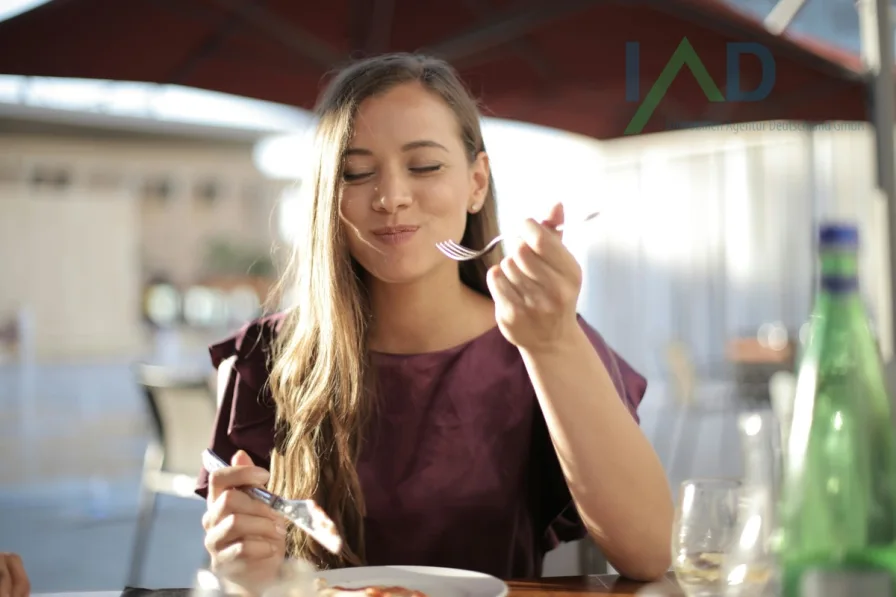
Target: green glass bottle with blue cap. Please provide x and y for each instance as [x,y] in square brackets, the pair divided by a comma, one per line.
[838,502]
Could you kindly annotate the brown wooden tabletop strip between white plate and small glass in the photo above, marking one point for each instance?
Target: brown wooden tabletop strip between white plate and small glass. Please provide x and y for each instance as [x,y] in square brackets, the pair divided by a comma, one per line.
[595,584]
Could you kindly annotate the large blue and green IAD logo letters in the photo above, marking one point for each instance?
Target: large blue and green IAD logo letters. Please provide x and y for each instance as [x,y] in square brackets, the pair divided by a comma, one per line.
[686,55]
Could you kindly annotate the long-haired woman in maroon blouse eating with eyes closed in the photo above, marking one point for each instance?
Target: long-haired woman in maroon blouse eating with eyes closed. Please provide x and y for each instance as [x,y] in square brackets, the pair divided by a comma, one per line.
[442,414]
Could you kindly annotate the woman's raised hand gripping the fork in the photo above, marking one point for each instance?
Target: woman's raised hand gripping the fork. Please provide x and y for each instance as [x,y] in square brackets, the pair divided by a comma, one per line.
[536,287]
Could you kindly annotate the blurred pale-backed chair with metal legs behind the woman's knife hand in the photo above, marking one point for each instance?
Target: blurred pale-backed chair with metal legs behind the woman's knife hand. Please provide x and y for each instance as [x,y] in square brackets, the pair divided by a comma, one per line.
[182,413]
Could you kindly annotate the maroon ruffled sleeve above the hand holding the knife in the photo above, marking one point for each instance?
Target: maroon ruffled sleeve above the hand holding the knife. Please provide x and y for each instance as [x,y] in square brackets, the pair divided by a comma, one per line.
[246,414]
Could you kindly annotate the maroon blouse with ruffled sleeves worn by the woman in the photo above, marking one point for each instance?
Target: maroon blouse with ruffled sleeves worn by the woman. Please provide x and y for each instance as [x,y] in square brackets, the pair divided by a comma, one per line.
[458,469]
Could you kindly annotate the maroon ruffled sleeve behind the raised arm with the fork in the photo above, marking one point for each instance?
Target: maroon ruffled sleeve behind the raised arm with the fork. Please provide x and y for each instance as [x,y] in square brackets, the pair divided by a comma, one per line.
[555,511]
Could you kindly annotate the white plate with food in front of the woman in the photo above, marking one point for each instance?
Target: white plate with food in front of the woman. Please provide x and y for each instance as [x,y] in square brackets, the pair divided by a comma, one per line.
[435,582]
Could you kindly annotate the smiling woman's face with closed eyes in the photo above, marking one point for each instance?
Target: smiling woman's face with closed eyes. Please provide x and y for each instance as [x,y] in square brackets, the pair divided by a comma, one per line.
[408,183]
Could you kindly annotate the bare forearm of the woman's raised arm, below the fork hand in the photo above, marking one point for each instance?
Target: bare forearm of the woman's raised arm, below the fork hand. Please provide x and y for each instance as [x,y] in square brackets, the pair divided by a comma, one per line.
[614,475]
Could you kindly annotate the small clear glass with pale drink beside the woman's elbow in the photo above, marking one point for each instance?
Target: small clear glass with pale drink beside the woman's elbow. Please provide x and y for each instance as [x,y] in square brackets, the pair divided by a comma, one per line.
[704,529]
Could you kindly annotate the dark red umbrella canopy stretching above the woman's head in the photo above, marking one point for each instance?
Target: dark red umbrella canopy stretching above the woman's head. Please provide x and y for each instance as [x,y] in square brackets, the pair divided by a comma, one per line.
[599,68]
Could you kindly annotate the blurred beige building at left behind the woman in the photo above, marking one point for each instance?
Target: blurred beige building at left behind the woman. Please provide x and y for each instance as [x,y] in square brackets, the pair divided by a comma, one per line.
[95,211]
